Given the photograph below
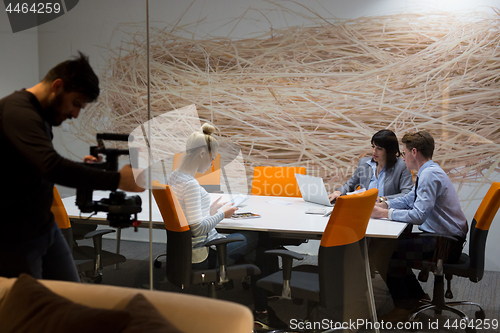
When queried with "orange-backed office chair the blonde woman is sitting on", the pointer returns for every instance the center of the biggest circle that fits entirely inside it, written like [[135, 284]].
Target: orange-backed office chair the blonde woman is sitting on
[[179, 248]]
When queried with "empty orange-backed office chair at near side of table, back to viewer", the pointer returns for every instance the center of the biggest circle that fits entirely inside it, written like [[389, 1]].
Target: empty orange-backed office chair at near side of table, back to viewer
[[342, 275]]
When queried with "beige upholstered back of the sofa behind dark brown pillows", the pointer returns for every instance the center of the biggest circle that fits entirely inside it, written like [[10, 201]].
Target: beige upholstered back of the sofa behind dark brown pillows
[[191, 314]]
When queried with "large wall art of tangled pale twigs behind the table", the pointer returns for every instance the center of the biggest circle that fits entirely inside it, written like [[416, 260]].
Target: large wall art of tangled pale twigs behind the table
[[314, 95]]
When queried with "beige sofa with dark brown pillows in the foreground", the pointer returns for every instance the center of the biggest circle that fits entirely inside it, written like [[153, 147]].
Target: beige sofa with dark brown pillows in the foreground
[[187, 313]]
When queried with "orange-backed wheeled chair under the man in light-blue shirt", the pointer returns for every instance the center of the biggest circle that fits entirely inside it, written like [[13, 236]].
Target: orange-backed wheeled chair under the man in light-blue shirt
[[470, 265]]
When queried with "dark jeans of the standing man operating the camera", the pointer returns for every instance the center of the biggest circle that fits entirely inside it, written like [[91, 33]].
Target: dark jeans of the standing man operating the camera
[[45, 257]]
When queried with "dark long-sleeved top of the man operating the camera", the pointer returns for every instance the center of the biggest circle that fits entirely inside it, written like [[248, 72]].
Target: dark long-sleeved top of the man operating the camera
[[30, 166]]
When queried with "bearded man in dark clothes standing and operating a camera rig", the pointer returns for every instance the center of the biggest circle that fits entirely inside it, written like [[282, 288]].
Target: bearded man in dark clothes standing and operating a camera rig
[[30, 241]]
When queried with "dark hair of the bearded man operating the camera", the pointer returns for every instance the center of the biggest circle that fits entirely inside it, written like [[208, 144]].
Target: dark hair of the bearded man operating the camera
[[77, 76]]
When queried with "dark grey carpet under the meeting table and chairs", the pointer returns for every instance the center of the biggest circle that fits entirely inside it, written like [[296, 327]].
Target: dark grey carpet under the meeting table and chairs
[[135, 273]]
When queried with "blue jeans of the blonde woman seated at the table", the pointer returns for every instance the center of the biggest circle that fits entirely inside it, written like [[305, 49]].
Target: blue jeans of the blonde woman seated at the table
[[252, 249]]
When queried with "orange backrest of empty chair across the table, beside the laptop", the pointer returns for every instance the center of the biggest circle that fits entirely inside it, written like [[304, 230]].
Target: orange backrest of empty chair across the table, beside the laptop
[[276, 181]]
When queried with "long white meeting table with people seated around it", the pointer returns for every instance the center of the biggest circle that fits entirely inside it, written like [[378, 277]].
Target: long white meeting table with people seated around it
[[281, 216]]
